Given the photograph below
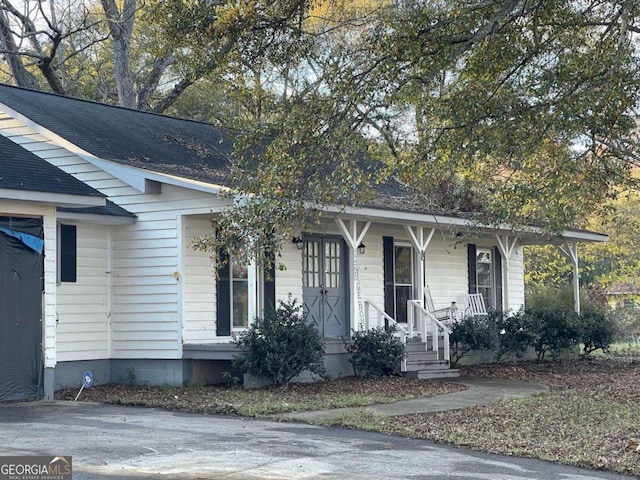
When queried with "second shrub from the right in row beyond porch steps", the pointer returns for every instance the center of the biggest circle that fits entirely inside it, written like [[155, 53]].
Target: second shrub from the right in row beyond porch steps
[[552, 331]]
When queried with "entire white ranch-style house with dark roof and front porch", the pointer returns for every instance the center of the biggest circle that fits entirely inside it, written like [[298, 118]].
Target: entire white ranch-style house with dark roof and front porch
[[114, 198]]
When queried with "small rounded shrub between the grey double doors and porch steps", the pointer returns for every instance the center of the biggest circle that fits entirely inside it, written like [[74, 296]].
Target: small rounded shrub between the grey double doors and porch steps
[[375, 352]]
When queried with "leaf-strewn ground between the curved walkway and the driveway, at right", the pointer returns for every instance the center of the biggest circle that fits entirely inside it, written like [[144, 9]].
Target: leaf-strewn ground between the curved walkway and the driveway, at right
[[590, 417]]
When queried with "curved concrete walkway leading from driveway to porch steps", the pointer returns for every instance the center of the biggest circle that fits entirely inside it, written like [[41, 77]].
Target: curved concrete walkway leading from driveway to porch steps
[[479, 392]]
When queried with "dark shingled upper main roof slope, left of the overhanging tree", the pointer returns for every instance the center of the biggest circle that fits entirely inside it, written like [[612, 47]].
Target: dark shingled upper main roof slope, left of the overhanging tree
[[159, 143]]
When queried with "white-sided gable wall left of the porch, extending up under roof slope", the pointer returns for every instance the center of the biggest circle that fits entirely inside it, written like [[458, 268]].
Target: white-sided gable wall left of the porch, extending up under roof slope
[[145, 293]]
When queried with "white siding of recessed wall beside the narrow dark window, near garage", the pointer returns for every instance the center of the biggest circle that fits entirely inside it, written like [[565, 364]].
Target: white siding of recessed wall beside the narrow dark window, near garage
[[83, 306]]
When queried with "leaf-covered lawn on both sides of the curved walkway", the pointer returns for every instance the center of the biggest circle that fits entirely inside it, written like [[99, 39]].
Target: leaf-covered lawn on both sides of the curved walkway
[[590, 417]]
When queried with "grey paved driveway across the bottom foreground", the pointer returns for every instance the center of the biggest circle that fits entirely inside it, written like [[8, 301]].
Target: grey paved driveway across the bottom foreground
[[115, 442]]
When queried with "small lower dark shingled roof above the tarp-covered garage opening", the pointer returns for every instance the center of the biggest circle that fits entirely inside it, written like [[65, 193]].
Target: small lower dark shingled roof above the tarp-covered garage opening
[[22, 170]]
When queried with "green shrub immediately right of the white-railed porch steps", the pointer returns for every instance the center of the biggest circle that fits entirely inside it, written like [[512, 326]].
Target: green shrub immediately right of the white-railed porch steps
[[471, 333]]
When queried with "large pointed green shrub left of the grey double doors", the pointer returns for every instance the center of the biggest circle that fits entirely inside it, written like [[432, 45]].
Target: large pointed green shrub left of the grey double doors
[[281, 345]]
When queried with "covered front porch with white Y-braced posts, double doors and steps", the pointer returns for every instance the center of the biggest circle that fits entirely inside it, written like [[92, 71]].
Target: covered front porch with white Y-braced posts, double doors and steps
[[362, 269]]
